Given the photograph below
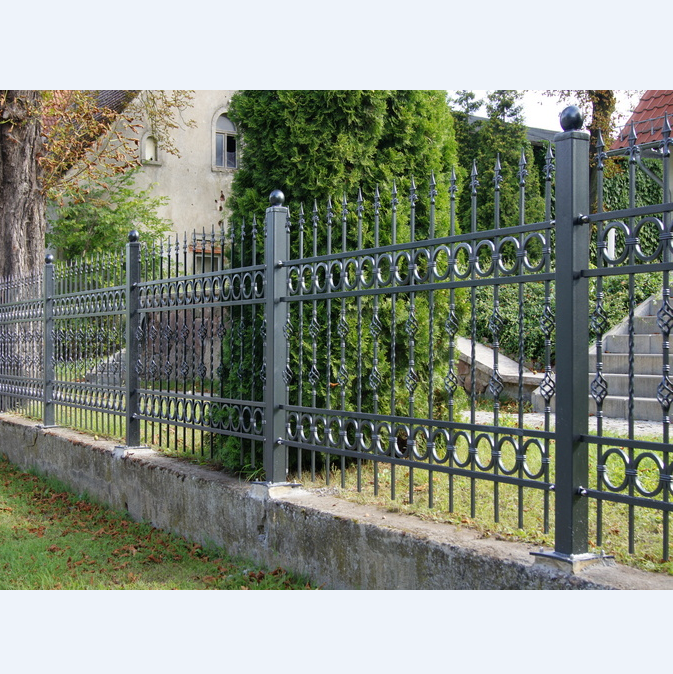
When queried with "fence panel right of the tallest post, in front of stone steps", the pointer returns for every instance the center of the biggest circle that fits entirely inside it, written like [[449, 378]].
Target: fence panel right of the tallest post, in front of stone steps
[[632, 246]]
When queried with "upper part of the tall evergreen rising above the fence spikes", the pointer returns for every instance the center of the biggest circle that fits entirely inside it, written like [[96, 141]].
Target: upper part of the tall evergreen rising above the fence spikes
[[315, 145]]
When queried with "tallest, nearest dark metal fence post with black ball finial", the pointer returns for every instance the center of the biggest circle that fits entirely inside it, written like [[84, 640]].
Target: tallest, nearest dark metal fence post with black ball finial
[[572, 339]]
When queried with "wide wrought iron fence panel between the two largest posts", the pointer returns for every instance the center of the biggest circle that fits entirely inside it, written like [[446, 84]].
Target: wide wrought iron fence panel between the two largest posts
[[371, 333]]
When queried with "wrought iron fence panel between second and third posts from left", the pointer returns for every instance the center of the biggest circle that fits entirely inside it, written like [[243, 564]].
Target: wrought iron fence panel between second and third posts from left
[[199, 337]]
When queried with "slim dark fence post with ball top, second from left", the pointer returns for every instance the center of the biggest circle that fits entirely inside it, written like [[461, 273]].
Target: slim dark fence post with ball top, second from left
[[132, 324]]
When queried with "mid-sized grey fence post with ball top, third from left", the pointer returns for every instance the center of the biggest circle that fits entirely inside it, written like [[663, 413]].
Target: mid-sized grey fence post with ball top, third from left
[[276, 250]]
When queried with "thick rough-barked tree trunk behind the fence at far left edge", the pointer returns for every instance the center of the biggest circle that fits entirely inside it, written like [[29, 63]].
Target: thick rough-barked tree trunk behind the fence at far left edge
[[22, 202]]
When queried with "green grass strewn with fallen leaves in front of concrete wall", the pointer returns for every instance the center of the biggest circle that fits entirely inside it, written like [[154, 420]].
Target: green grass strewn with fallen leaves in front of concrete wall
[[51, 539]]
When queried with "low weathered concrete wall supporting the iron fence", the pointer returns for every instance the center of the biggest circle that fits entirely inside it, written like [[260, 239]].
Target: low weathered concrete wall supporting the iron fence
[[338, 544]]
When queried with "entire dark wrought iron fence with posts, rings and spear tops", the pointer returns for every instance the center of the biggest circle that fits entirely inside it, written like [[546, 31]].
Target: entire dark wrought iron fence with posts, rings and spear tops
[[331, 341]]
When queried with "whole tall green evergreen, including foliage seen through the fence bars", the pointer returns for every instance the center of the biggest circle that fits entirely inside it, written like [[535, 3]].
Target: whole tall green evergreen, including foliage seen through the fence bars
[[320, 145]]
